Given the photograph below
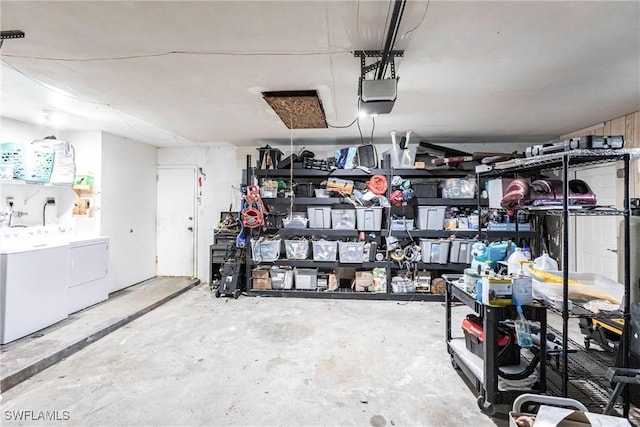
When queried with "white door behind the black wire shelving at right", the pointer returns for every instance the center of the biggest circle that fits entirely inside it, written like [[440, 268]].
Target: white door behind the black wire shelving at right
[[595, 236]]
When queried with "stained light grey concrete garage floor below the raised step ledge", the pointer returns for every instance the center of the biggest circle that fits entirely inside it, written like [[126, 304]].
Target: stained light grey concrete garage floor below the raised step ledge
[[197, 360]]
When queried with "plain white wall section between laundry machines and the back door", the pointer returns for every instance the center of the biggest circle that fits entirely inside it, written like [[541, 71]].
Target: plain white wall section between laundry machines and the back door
[[128, 213]]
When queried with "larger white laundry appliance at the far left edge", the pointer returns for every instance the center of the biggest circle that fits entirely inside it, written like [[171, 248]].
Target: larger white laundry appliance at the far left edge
[[34, 275]]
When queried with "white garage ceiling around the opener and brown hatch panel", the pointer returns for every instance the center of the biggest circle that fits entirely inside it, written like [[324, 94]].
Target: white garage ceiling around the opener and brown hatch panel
[[174, 71]]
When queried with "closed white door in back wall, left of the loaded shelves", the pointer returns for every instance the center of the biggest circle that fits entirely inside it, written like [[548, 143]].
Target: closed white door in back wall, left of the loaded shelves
[[176, 221]]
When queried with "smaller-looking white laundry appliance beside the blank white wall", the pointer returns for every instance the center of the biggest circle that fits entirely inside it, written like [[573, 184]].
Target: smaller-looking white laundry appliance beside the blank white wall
[[88, 263]]
